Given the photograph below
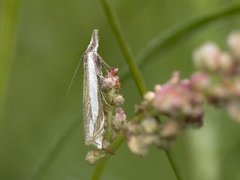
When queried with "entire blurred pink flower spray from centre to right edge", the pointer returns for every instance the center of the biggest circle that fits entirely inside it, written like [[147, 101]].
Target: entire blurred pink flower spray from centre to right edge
[[178, 104]]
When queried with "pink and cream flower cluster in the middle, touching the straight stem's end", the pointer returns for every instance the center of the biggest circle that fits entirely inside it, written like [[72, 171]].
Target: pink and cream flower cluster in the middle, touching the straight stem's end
[[178, 102]]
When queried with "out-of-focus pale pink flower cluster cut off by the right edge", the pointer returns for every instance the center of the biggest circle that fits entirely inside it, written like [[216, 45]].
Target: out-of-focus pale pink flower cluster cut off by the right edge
[[223, 71]]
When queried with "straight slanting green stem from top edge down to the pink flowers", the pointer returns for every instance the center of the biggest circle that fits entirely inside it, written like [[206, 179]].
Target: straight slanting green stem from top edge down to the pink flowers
[[134, 70]]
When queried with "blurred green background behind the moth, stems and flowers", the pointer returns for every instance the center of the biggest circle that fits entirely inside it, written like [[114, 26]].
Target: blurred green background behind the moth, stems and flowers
[[46, 43]]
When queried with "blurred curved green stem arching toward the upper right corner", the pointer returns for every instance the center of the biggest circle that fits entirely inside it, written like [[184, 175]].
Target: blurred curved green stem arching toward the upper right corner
[[172, 36]]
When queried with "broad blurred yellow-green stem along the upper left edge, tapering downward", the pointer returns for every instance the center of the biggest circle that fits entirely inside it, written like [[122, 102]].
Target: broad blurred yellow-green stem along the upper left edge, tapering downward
[[8, 24]]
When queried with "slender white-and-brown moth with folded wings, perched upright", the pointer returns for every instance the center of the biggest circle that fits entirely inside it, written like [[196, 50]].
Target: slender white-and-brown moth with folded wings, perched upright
[[94, 118]]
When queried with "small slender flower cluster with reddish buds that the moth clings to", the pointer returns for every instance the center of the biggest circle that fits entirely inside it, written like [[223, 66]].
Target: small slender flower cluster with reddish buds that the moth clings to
[[115, 118]]
